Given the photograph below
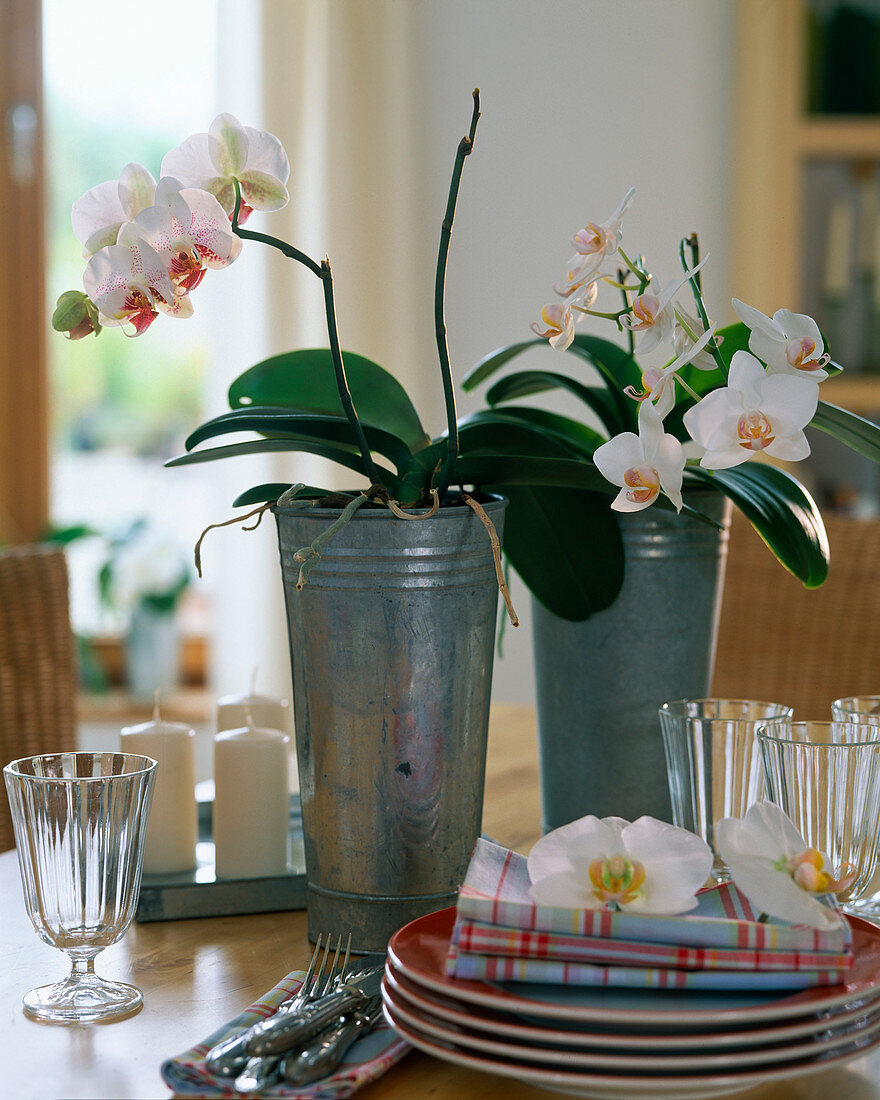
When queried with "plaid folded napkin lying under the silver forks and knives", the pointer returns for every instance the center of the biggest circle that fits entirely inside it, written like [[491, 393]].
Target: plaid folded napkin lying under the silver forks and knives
[[367, 1060]]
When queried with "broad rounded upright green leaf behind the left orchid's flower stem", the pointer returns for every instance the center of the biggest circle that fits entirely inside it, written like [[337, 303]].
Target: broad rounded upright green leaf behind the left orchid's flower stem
[[305, 380]]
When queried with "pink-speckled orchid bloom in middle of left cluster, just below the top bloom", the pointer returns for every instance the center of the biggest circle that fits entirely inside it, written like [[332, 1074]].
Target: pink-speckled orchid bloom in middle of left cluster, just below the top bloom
[[189, 229]]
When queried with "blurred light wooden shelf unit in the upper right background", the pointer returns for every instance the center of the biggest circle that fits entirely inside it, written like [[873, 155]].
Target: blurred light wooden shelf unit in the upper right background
[[777, 259]]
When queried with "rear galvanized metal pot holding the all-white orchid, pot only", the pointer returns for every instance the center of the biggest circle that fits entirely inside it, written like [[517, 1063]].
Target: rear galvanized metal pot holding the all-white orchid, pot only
[[601, 683]]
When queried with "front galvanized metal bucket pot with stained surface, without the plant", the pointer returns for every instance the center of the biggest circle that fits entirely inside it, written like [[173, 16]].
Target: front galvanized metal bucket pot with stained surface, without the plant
[[392, 645]]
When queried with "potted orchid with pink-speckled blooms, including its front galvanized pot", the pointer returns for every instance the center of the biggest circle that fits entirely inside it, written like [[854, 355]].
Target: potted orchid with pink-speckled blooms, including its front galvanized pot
[[391, 591]]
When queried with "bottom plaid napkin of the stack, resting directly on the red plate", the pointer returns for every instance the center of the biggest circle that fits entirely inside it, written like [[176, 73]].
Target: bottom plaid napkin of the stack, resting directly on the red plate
[[502, 969]]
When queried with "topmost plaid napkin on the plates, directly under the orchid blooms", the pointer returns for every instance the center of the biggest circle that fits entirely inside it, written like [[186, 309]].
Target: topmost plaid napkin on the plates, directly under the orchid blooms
[[497, 892]]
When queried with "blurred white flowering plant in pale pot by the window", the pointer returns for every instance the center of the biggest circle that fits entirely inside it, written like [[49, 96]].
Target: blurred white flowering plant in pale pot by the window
[[145, 579]]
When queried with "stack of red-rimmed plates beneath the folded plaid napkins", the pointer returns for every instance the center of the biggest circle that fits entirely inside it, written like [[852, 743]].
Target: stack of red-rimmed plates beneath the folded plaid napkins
[[621, 1043]]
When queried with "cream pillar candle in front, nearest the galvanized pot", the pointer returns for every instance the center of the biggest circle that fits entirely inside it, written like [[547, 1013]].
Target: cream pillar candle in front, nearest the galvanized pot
[[251, 802]]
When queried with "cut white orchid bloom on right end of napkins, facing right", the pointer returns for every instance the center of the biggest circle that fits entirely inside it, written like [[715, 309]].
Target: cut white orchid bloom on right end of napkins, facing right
[[771, 863]]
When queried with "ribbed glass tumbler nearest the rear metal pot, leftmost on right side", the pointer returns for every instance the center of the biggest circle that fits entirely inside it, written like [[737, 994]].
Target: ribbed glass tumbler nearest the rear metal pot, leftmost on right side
[[713, 764]]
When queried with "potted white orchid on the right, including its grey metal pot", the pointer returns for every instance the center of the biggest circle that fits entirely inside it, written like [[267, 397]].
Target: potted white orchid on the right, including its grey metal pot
[[626, 599]]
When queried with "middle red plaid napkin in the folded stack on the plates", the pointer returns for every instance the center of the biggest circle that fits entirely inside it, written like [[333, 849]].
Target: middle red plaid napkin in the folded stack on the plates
[[471, 938]]
